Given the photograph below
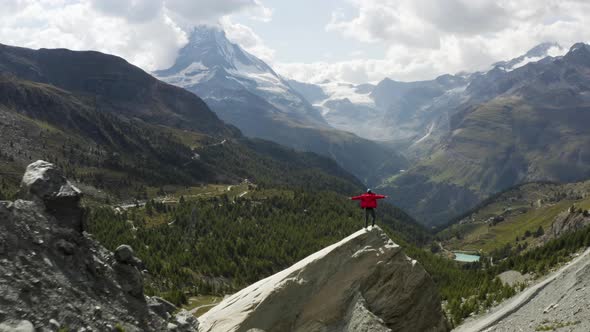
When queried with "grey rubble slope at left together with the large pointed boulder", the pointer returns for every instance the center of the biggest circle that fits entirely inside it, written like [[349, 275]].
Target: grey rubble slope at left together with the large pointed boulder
[[55, 277]]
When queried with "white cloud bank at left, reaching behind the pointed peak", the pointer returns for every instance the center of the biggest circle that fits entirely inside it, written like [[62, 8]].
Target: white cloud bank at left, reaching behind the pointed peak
[[148, 33]]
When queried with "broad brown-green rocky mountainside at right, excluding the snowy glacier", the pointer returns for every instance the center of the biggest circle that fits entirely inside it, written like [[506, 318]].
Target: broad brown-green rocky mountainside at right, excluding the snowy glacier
[[527, 125]]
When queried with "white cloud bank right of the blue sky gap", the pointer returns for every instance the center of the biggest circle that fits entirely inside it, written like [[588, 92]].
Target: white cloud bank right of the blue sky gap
[[427, 38]]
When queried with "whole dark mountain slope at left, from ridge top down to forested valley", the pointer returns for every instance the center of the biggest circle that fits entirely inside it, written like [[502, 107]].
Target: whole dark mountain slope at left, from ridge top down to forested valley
[[113, 126]]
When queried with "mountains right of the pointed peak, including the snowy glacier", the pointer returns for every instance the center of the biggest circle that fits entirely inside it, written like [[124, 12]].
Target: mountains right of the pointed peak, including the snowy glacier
[[469, 135]]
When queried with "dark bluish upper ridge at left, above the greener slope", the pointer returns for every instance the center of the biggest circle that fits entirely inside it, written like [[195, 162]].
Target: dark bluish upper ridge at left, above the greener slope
[[111, 84]]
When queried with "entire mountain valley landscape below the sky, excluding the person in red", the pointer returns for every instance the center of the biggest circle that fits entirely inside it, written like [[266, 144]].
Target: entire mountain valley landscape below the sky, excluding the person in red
[[219, 189]]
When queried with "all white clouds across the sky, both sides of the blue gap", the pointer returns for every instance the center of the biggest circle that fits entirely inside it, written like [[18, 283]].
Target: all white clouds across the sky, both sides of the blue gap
[[423, 38]]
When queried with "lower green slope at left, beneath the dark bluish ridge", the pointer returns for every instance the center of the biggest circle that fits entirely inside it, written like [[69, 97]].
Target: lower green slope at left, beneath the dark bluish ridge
[[127, 156]]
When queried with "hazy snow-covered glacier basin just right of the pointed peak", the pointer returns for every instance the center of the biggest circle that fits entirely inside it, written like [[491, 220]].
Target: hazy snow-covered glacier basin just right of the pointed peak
[[399, 113]]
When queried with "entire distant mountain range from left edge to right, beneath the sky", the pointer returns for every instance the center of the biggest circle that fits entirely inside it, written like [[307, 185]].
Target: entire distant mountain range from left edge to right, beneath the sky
[[463, 137]]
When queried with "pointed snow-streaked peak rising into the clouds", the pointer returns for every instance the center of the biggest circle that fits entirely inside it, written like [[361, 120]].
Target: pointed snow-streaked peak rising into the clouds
[[213, 67]]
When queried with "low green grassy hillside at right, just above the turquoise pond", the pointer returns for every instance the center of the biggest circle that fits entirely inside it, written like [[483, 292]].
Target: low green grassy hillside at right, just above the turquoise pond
[[522, 209]]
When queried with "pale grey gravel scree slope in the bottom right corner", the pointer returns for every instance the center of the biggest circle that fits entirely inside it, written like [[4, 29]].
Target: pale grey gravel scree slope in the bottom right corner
[[561, 302]]
